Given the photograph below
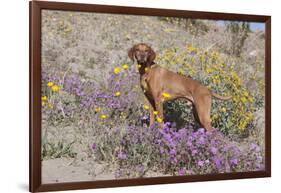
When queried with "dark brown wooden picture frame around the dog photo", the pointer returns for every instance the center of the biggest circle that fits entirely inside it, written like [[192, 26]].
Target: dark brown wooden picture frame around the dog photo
[[35, 7]]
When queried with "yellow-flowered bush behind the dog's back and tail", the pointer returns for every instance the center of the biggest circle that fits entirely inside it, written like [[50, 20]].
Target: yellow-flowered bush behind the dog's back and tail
[[213, 71]]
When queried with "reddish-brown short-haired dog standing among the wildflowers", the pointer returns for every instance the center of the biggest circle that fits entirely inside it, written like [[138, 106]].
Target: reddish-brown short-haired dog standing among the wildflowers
[[160, 84]]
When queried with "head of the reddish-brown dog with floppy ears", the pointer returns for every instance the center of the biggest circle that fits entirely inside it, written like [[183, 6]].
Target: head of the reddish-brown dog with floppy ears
[[142, 53]]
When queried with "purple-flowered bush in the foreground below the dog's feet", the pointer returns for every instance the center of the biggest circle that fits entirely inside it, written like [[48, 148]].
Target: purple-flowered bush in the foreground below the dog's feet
[[137, 150]]
